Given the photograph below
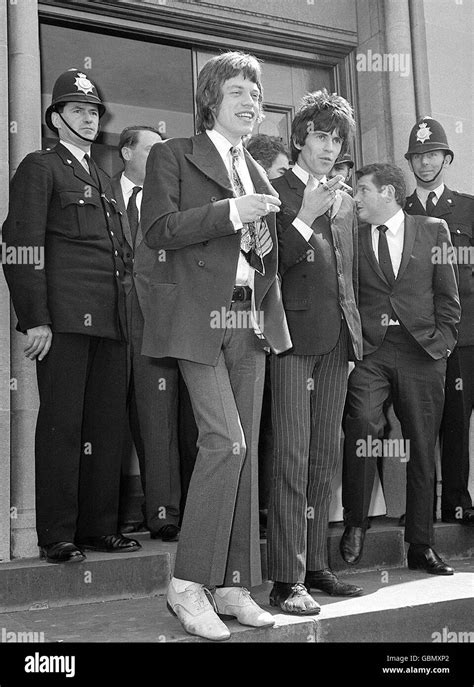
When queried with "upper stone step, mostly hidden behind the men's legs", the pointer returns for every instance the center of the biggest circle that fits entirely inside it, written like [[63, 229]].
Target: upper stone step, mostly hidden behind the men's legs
[[30, 584]]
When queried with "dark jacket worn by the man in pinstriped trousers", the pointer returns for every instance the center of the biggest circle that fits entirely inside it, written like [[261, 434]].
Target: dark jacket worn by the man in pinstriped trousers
[[319, 278]]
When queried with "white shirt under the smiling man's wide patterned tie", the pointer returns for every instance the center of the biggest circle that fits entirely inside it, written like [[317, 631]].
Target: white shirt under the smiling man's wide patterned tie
[[245, 274]]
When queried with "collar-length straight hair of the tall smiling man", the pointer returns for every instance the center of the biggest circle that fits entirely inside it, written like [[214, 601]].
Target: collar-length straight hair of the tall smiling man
[[212, 77]]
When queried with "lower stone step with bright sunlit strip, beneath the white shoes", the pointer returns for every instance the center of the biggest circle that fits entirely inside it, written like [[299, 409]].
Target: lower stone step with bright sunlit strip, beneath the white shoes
[[402, 606]]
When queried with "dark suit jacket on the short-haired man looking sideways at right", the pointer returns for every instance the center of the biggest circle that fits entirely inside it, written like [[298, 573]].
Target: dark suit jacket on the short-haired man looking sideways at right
[[425, 295]]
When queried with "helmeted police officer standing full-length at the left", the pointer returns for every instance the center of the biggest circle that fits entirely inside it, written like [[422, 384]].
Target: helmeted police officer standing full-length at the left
[[72, 313]]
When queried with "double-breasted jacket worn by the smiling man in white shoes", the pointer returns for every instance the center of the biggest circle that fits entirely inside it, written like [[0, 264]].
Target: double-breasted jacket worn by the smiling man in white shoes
[[185, 214]]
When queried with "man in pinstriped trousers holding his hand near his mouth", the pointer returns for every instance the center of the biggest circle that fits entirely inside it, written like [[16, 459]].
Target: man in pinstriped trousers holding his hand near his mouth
[[317, 237]]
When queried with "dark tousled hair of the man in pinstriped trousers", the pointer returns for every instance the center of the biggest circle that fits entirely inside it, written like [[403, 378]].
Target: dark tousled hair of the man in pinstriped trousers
[[322, 111]]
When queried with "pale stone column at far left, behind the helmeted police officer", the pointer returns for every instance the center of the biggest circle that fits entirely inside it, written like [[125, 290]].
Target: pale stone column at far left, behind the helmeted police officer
[[24, 83]]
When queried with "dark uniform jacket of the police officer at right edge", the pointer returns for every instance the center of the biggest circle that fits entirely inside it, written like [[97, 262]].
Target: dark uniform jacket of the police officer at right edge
[[457, 210]]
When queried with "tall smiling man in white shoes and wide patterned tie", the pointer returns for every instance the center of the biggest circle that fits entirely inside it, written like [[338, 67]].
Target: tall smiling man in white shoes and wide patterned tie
[[214, 304]]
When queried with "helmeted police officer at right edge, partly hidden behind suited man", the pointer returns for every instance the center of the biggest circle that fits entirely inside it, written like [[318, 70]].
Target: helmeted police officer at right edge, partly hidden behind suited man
[[429, 157]]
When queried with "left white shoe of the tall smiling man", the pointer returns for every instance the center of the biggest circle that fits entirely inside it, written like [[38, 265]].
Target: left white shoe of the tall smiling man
[[193, 609]]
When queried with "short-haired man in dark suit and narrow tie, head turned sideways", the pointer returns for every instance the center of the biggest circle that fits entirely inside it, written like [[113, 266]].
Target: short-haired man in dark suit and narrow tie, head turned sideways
[[409, 307]]
